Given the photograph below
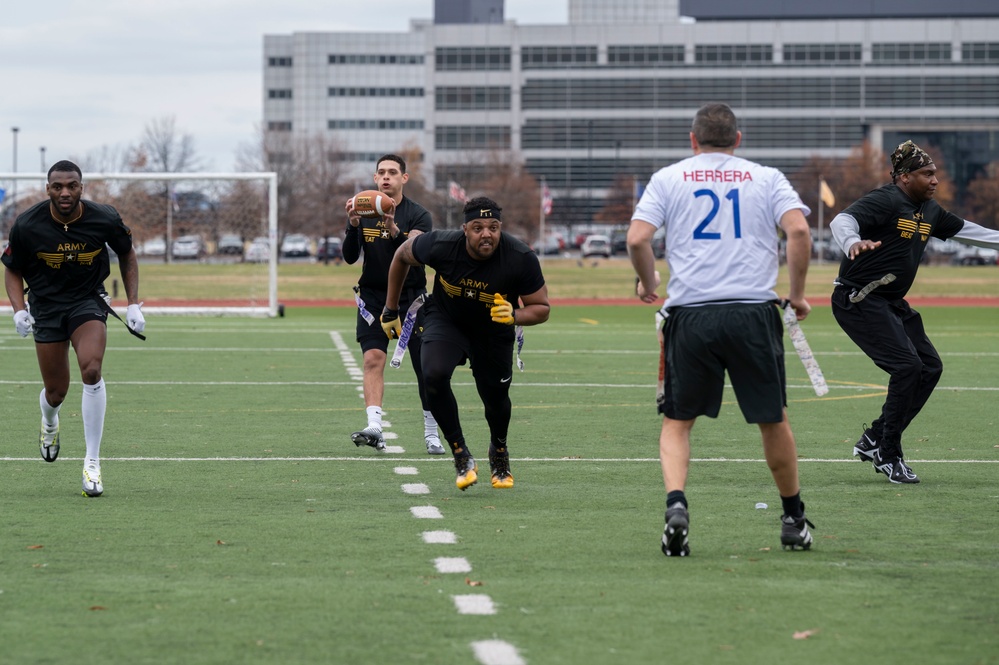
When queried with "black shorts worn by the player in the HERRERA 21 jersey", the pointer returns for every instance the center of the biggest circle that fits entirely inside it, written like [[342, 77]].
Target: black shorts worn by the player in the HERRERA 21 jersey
[[702, 343]]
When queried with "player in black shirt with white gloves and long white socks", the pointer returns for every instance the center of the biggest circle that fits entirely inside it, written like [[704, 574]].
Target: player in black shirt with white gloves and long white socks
[[59, 247]]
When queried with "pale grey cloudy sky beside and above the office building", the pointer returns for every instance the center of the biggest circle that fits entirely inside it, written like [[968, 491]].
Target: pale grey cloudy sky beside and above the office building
[[78, 76]]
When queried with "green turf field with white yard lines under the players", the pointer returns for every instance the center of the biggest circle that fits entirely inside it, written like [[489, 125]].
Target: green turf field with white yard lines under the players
[[240, 524]]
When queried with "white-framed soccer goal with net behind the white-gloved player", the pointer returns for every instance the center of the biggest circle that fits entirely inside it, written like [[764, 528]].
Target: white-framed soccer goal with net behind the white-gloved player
[[206, 242]]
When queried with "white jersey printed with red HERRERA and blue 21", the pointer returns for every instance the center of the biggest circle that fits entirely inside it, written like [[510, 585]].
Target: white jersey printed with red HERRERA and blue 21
[[721, 215]]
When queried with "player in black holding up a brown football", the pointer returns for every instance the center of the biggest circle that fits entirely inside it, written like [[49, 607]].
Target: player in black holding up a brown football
[[378, 238]]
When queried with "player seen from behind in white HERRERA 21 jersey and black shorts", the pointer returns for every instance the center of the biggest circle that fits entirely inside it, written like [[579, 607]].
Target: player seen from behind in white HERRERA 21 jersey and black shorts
[[721, 214]]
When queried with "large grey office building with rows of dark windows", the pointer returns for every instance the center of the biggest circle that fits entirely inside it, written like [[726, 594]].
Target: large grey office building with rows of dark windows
[[613, 91]]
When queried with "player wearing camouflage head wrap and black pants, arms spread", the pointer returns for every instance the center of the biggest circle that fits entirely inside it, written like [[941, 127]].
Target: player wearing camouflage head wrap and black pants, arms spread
[[883, 236]]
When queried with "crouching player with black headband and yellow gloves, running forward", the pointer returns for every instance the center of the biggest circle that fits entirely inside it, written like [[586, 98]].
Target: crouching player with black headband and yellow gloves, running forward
[[487, 285]]
